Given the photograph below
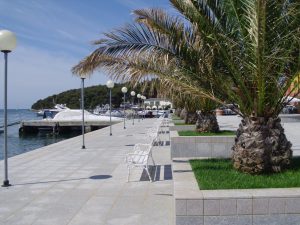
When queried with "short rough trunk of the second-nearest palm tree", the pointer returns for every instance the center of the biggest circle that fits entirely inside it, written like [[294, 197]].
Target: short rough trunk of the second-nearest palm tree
[[207, 122]]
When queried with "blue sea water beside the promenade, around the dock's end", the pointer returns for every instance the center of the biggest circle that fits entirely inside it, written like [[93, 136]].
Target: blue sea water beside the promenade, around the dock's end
[[18, 144]]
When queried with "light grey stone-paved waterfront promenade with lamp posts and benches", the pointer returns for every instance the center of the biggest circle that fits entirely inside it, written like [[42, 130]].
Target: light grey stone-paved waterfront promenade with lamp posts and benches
[[63, 184]]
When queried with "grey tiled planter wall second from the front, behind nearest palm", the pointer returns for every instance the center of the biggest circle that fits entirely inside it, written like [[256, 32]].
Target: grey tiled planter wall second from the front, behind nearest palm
[[200, 146]]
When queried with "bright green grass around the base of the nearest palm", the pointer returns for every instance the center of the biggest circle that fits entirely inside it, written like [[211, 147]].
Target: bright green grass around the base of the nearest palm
[[219, 174]]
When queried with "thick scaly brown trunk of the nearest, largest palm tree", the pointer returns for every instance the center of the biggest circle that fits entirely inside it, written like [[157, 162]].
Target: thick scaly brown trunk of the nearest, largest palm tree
[[261, 146]]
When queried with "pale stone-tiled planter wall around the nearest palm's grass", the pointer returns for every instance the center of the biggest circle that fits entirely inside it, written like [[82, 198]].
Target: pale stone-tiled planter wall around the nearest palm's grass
[[239, 207]]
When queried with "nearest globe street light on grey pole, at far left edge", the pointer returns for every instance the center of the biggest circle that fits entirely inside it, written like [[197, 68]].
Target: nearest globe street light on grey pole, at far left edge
[[8, 42]]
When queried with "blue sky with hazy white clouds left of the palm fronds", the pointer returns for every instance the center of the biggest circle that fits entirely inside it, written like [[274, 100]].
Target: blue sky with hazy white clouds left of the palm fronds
[[52, 37]]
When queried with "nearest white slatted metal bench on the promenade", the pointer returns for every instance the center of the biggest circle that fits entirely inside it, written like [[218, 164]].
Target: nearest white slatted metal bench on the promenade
[[140, 158]]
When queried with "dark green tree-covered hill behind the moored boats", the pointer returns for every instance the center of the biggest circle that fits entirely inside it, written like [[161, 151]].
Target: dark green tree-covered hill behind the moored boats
[[93, 96]]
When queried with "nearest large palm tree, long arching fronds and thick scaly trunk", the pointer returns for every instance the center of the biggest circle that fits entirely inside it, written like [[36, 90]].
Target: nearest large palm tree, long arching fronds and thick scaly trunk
[[243, 52]]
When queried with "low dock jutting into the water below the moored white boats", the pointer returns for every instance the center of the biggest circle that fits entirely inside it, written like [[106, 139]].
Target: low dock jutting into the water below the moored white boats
[[56, 126]]
